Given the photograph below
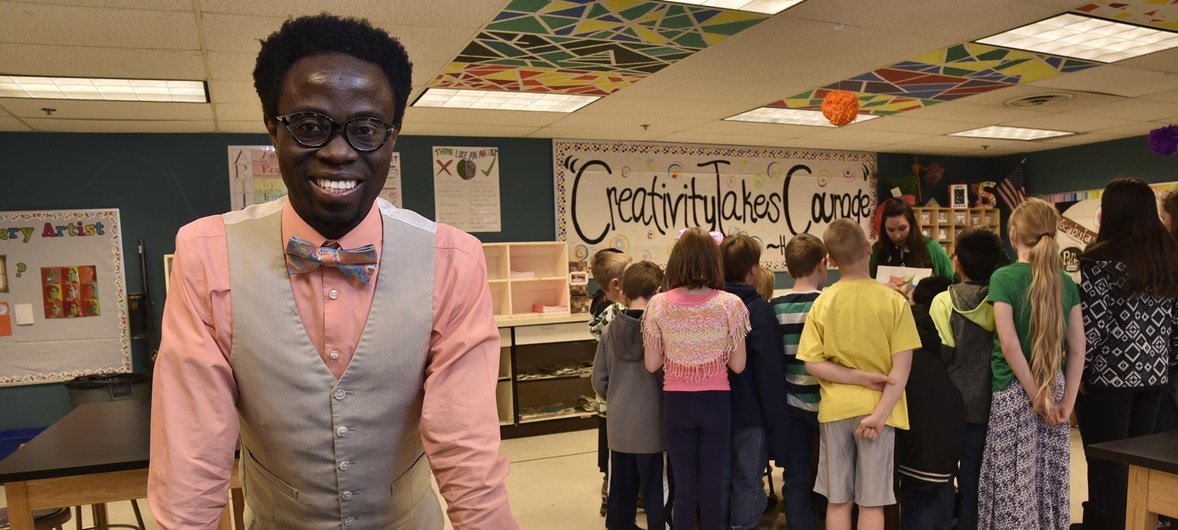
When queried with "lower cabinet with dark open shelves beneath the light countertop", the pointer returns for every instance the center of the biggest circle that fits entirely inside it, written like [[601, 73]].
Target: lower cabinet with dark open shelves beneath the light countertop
[[545, 372]]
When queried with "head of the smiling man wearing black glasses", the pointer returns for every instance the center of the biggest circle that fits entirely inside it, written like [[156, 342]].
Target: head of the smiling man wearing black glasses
[[334, 94]]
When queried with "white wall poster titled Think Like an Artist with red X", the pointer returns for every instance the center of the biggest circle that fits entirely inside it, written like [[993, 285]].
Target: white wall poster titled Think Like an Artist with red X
[[467, 188]]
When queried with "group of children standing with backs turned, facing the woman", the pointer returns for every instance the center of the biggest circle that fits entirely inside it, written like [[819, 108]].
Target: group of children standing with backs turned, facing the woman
[[905, 400]]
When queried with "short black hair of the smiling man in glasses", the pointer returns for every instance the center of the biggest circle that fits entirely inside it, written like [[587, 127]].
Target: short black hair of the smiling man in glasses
[[327, 34]]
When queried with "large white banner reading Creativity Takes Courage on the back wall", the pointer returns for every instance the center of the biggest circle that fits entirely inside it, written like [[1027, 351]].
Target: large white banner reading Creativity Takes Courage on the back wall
[[638, 197]]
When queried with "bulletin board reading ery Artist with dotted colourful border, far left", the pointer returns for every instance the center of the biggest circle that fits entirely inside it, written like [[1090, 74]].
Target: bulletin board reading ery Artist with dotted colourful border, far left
[[63, 296]]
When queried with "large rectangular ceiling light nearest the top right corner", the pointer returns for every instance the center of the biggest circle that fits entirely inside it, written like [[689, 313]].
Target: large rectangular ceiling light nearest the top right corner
[[1086, 38]]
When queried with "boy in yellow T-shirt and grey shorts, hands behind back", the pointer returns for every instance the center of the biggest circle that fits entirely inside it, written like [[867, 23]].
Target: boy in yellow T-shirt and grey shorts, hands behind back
[[858, 342]]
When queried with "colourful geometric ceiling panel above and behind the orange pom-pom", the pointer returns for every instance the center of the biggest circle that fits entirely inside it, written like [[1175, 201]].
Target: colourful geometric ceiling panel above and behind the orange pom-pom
[[951, 74]]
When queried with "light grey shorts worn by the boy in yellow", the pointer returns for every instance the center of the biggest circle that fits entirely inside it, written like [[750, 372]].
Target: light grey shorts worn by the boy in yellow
[[852, 468]]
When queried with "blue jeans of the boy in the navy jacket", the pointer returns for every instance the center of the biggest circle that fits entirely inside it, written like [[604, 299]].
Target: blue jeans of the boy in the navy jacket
[[744, 479]]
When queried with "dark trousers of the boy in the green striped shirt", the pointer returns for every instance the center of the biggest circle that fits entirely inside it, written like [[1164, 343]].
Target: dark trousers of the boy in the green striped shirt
[[799, 505]]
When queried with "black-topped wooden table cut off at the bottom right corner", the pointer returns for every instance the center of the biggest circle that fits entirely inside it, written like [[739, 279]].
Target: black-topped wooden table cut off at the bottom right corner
[[1153, 476]]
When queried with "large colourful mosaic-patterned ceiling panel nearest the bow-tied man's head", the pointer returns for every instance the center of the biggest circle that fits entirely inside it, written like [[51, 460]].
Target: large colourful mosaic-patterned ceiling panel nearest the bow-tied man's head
[[587, 47]]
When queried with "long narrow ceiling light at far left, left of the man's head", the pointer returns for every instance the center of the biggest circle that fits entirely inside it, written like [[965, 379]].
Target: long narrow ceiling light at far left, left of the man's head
[[103, 90]]
